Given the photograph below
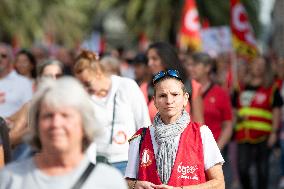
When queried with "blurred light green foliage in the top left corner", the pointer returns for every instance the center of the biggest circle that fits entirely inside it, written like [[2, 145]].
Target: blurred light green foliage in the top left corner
[[66, 21]]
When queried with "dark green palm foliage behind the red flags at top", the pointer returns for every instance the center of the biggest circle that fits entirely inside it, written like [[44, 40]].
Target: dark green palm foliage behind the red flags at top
[[159, 19]]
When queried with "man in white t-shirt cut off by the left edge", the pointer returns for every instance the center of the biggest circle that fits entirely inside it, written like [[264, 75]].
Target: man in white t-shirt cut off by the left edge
[[15, 90]]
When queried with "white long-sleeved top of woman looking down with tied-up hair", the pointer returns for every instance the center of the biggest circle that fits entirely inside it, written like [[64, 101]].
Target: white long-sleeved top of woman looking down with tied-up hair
[[130, 114]]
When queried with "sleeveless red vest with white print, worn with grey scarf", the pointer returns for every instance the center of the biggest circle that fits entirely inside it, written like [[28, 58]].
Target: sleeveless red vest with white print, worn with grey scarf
[[188, 168]]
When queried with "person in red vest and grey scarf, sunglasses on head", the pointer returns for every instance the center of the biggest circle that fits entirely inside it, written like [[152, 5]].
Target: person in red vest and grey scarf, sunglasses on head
[[174, 152]]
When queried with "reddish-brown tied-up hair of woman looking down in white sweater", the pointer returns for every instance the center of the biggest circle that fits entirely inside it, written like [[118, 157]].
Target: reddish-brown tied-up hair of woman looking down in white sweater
[[88, 60]]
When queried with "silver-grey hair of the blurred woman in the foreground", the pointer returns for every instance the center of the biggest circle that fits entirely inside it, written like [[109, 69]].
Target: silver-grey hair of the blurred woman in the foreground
[[65, 91]]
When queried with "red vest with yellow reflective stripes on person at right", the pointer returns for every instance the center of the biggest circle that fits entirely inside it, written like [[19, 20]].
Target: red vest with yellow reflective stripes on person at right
[[258, 112]]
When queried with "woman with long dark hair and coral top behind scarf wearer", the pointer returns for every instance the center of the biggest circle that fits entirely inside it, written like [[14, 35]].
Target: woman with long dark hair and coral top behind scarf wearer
[[162, 56]]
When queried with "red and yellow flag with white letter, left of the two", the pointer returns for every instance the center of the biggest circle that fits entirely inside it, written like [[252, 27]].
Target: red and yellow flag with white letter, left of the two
[[189, 36]]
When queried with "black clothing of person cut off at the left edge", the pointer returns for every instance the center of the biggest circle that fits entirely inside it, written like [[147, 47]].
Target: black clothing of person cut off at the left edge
[[4, 136]]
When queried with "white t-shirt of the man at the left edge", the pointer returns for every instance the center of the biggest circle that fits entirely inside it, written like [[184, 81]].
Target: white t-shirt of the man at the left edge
[[17, 91]]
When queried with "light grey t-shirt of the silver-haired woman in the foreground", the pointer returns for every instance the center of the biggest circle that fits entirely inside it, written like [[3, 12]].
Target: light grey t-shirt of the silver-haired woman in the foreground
[[25, 175]]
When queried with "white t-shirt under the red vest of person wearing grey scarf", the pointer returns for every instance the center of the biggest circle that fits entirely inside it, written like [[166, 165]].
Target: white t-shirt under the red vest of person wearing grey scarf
[[212, 154]]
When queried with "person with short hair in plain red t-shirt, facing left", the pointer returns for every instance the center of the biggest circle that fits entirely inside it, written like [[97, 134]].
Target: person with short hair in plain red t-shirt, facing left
[[216, 101]]
